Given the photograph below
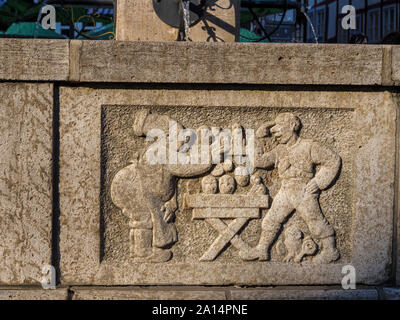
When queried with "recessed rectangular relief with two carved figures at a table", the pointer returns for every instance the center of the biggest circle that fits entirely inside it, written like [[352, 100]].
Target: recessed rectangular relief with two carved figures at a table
[[292, 205]]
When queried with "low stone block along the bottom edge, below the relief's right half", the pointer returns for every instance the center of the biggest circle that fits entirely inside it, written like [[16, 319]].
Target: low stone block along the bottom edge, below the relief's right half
[[304, 294]]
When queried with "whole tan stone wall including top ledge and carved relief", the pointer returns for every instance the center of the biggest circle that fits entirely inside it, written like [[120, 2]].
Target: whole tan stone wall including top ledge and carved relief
[[77, 192]]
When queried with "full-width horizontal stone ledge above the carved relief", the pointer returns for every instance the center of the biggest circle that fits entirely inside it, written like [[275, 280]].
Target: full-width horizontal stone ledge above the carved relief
[[173, 62]]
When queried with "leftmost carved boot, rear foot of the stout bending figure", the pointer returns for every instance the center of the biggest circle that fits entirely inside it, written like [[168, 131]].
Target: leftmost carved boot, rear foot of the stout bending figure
[[141, 240]]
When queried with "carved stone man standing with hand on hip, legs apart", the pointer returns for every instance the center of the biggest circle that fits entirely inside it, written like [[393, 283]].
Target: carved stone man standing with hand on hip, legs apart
[[295, 160]]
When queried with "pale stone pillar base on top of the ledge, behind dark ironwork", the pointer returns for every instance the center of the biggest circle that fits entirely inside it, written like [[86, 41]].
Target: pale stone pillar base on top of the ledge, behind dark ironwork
[[140, 22]]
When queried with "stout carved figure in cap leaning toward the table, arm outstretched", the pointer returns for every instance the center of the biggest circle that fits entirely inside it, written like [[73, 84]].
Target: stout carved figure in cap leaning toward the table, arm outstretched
[[146, 193]]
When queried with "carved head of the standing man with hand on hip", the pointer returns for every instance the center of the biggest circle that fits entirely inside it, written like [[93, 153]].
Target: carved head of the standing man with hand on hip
[[286, 126]]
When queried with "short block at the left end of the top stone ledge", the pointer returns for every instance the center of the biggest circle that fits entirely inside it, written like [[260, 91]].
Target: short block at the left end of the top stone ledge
[[27, 59]]
